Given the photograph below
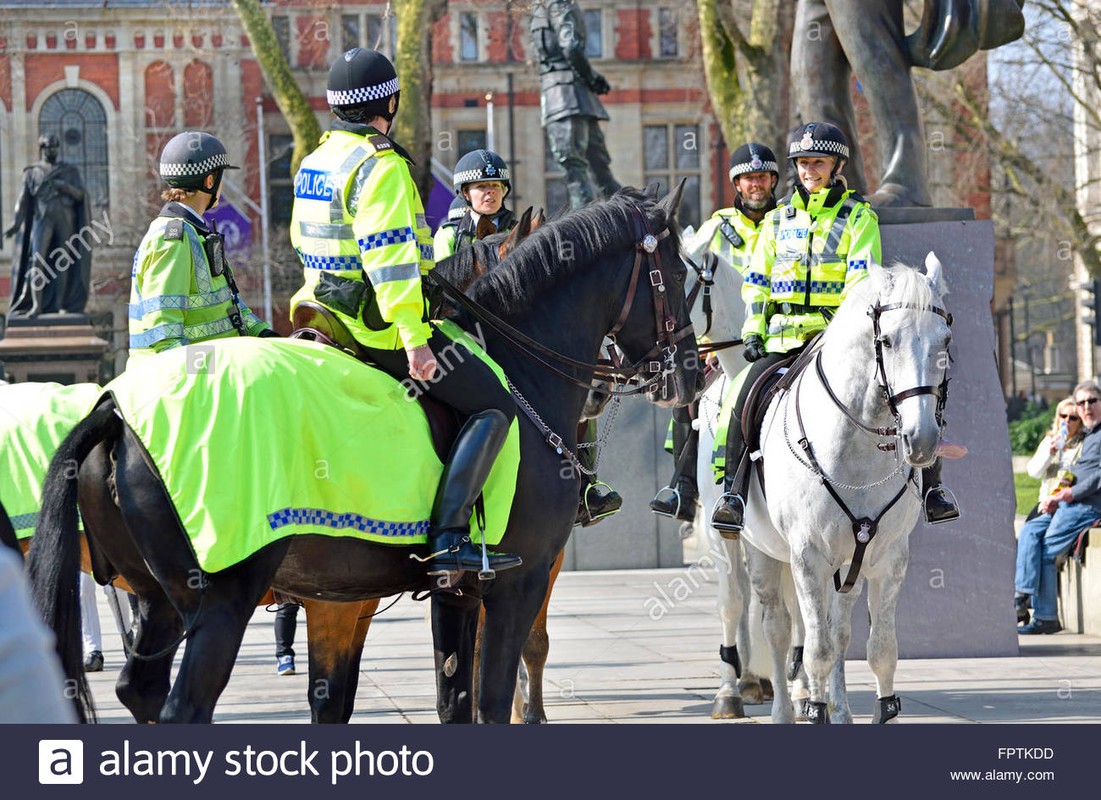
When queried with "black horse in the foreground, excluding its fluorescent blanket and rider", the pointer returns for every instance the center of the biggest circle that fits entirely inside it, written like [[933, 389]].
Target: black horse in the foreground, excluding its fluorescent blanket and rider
[[614, 266]]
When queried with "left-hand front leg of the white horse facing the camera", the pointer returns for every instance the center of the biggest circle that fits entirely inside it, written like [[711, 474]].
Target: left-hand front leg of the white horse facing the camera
[[813, 587]]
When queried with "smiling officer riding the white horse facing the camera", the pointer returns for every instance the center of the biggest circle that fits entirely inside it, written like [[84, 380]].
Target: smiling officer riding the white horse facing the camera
[[812, 249]]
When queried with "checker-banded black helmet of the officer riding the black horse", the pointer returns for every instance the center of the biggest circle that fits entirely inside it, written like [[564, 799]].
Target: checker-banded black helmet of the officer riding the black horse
[[363, 85]]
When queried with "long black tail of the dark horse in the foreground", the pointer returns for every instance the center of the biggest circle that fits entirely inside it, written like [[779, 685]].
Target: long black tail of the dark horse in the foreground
[[54, 560]]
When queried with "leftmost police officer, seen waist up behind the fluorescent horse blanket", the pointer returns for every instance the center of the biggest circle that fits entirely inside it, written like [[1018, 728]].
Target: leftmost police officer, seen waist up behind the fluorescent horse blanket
[[183, 290]]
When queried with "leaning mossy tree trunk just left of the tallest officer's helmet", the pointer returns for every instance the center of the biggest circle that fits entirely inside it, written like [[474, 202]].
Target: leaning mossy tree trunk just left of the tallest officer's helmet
[[300, 117]]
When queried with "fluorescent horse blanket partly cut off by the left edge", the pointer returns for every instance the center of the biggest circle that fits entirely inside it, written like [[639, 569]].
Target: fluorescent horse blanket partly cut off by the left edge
[[35, 418]]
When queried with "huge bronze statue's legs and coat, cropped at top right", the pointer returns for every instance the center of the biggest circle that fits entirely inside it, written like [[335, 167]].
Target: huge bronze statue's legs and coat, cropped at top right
[[837, 38]]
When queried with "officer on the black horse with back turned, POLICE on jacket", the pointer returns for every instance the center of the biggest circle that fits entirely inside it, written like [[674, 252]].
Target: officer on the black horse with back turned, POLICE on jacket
[[358, 225]]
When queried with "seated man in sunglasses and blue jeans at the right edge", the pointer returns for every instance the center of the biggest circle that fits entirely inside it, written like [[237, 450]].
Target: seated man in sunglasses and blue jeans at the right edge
[[1063, 516]]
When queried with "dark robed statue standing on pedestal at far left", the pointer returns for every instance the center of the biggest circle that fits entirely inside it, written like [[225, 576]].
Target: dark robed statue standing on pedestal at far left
[[52, 262]]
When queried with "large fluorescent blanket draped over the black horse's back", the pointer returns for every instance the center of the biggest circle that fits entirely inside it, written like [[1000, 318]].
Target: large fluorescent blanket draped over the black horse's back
[[257, 440]]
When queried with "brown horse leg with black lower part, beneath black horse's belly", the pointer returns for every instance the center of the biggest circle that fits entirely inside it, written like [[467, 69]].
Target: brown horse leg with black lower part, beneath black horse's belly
[[335, 644]]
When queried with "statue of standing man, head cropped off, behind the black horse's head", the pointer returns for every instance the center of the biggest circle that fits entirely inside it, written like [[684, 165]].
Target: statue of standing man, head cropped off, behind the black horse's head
[[571, 109]]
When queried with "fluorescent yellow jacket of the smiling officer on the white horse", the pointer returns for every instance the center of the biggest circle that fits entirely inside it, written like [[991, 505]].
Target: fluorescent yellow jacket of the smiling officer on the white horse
[[810, 253]]
